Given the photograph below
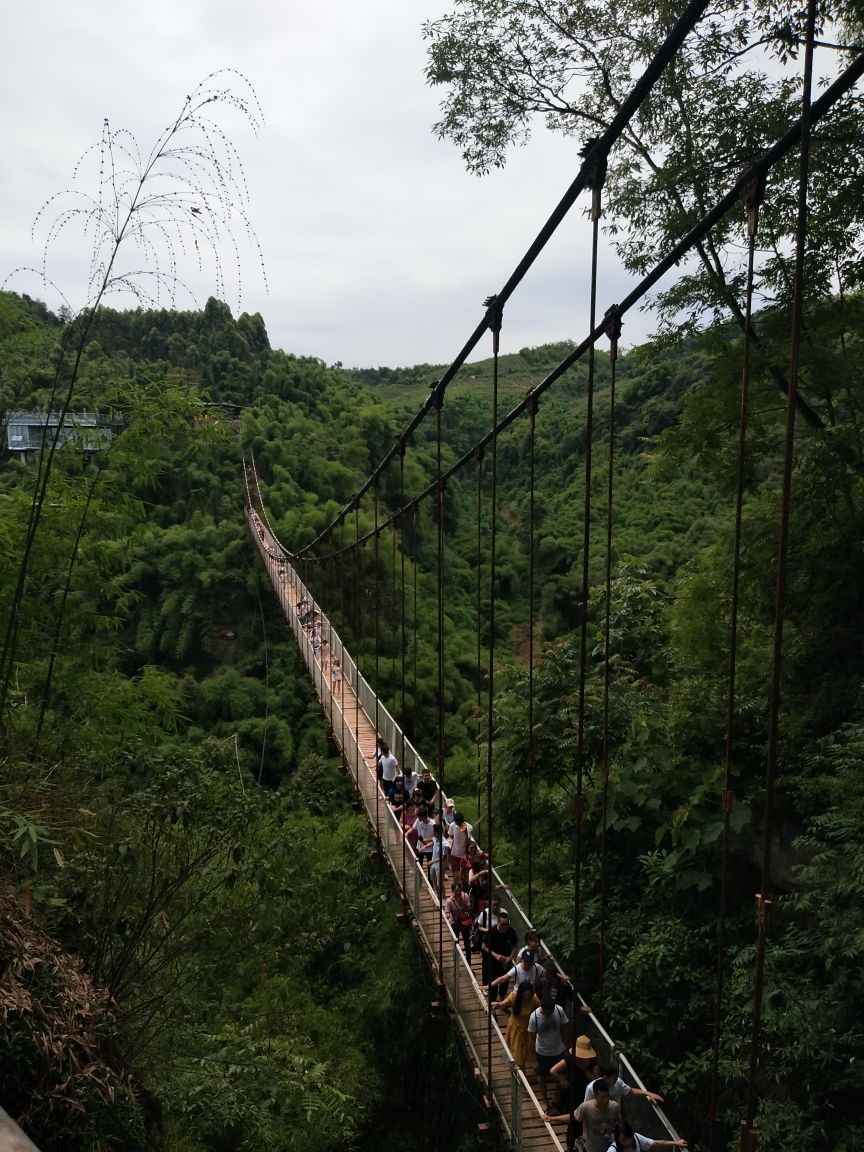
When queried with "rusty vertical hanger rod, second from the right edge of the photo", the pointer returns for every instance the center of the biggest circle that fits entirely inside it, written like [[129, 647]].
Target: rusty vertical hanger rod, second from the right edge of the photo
[[753, 200]]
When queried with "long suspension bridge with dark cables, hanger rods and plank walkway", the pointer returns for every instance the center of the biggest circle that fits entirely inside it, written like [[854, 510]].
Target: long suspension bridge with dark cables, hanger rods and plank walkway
[[319, 570]]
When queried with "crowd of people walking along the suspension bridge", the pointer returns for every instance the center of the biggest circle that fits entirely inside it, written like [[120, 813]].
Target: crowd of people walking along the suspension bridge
[[534, 996]]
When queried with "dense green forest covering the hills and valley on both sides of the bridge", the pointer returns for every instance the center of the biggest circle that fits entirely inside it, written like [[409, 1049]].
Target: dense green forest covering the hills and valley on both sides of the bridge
[[180, 853]]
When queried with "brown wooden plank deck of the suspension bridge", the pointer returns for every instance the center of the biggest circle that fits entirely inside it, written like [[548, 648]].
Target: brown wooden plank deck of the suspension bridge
[[511, 1095]]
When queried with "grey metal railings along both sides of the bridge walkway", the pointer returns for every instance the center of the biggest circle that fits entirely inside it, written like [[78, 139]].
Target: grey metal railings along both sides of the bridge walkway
[[461, 984]]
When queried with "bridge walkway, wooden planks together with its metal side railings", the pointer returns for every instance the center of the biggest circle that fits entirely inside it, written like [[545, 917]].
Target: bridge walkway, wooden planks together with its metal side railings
[[358, 718]]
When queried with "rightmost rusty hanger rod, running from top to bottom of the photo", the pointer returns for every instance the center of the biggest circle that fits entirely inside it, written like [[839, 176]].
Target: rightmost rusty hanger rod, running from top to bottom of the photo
[[763, 901]]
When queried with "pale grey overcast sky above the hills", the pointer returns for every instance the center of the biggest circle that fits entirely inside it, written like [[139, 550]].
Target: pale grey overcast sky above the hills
[[380, 247]]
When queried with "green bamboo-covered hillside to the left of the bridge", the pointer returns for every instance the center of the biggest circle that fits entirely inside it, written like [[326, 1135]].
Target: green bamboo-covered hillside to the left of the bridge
[[200, 939]]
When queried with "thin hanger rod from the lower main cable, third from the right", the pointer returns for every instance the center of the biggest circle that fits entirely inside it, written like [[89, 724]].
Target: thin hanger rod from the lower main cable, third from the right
[[615, 335]]
